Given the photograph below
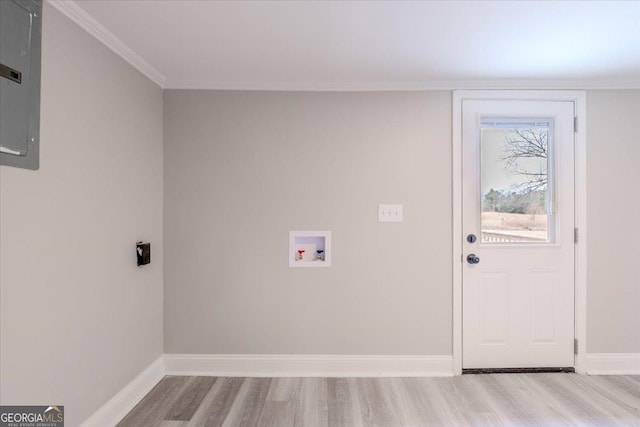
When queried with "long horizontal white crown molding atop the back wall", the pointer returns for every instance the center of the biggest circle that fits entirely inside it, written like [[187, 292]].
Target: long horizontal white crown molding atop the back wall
[[537, 84]]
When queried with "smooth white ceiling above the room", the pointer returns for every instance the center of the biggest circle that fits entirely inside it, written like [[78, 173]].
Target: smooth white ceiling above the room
[[373, 45]]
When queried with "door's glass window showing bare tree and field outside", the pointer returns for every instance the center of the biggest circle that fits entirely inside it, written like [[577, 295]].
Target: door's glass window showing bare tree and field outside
[[516, 181]]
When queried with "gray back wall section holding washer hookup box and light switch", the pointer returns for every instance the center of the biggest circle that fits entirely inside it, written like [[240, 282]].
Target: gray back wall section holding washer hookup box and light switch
[[244, 168]]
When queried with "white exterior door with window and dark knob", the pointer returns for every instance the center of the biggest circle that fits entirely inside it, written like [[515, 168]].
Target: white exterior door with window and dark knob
[[518, 234]]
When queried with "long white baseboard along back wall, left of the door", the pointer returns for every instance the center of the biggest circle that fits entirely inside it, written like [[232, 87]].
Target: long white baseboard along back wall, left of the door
[[271, 365]]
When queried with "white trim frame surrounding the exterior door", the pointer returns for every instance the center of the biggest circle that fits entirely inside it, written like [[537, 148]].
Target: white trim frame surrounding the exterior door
[[579, 99]]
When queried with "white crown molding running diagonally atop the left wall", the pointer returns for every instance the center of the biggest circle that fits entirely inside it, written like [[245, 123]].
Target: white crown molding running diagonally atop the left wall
[[70, 9]]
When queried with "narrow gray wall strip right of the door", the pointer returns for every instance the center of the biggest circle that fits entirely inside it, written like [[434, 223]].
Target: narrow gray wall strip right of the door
[[613, 165]]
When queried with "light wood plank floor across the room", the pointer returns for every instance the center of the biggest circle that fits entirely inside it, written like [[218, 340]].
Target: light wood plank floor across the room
[[468, 400]]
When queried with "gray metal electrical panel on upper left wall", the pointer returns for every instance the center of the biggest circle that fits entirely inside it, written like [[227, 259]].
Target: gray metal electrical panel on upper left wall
[[20, 52]]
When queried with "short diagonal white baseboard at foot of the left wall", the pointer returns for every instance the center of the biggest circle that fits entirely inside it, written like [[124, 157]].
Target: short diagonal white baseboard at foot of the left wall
[[119, 405]]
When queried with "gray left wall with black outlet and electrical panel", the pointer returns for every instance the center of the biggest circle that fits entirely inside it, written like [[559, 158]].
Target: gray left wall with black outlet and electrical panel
[[79, 320]]
